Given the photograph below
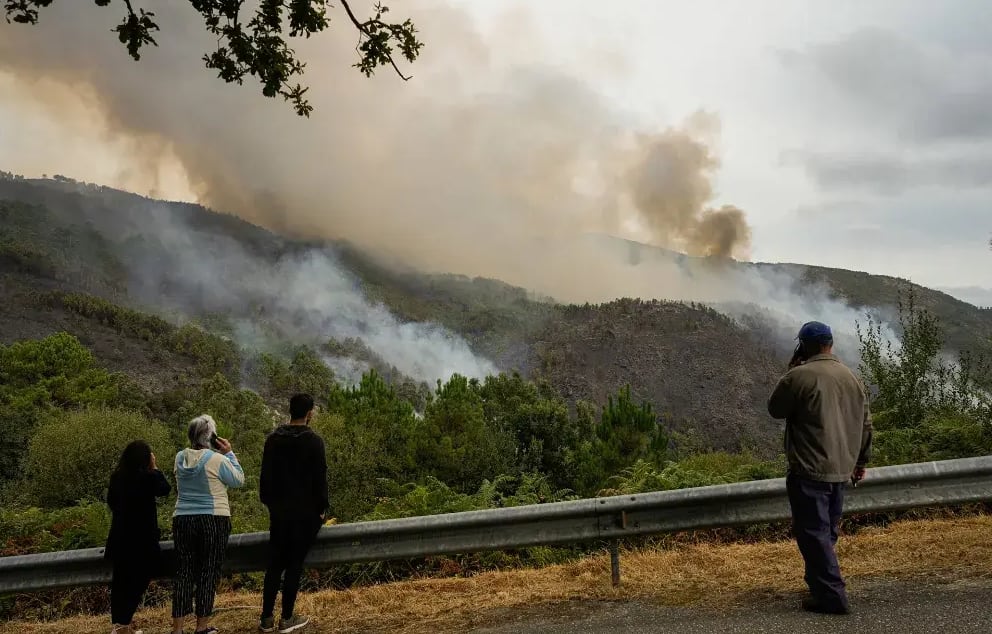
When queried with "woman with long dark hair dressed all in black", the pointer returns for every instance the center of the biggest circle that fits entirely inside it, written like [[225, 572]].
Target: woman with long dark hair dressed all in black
[[132, 545]]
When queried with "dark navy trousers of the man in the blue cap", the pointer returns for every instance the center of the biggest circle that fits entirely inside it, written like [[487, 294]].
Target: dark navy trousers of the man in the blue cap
[[816, 510]]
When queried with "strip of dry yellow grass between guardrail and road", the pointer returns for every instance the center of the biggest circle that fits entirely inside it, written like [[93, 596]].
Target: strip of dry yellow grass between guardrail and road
[[704, 574]]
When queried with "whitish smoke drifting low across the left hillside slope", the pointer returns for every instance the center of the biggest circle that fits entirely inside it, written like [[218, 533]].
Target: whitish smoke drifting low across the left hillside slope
[[304, 293]]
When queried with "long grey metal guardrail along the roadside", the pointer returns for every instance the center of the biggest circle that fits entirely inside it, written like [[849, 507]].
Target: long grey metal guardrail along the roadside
[[609, 519]]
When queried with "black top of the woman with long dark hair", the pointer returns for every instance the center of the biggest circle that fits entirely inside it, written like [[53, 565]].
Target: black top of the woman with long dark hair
[[134, 528]]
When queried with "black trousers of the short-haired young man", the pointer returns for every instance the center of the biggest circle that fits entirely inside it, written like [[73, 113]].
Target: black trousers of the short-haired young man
[[290, 539]]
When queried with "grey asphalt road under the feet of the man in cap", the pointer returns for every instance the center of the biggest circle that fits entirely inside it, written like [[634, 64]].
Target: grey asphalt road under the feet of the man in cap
[[877, 608]]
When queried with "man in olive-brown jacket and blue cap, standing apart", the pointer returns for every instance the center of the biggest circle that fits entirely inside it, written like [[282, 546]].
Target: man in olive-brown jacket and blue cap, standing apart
[[827, 442]]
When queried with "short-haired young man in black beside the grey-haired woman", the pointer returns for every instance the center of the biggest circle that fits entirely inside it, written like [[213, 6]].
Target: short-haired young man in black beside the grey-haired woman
[[293, 485]]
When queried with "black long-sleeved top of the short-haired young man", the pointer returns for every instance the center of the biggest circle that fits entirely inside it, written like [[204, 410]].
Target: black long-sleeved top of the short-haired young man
[[294, 472]]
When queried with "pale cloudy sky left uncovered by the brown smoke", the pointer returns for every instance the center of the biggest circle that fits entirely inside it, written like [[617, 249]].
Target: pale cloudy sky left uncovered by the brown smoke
[[854, 134]]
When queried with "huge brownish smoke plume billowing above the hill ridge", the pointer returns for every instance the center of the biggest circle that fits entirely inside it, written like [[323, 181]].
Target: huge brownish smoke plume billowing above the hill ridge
[[474, 167]]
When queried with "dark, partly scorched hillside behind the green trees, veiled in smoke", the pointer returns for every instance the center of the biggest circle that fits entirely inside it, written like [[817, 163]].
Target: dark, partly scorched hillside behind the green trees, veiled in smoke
[[190, 265]]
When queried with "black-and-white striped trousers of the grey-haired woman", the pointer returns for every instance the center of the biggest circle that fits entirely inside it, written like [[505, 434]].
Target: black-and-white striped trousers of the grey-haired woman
[[201, 543]]
